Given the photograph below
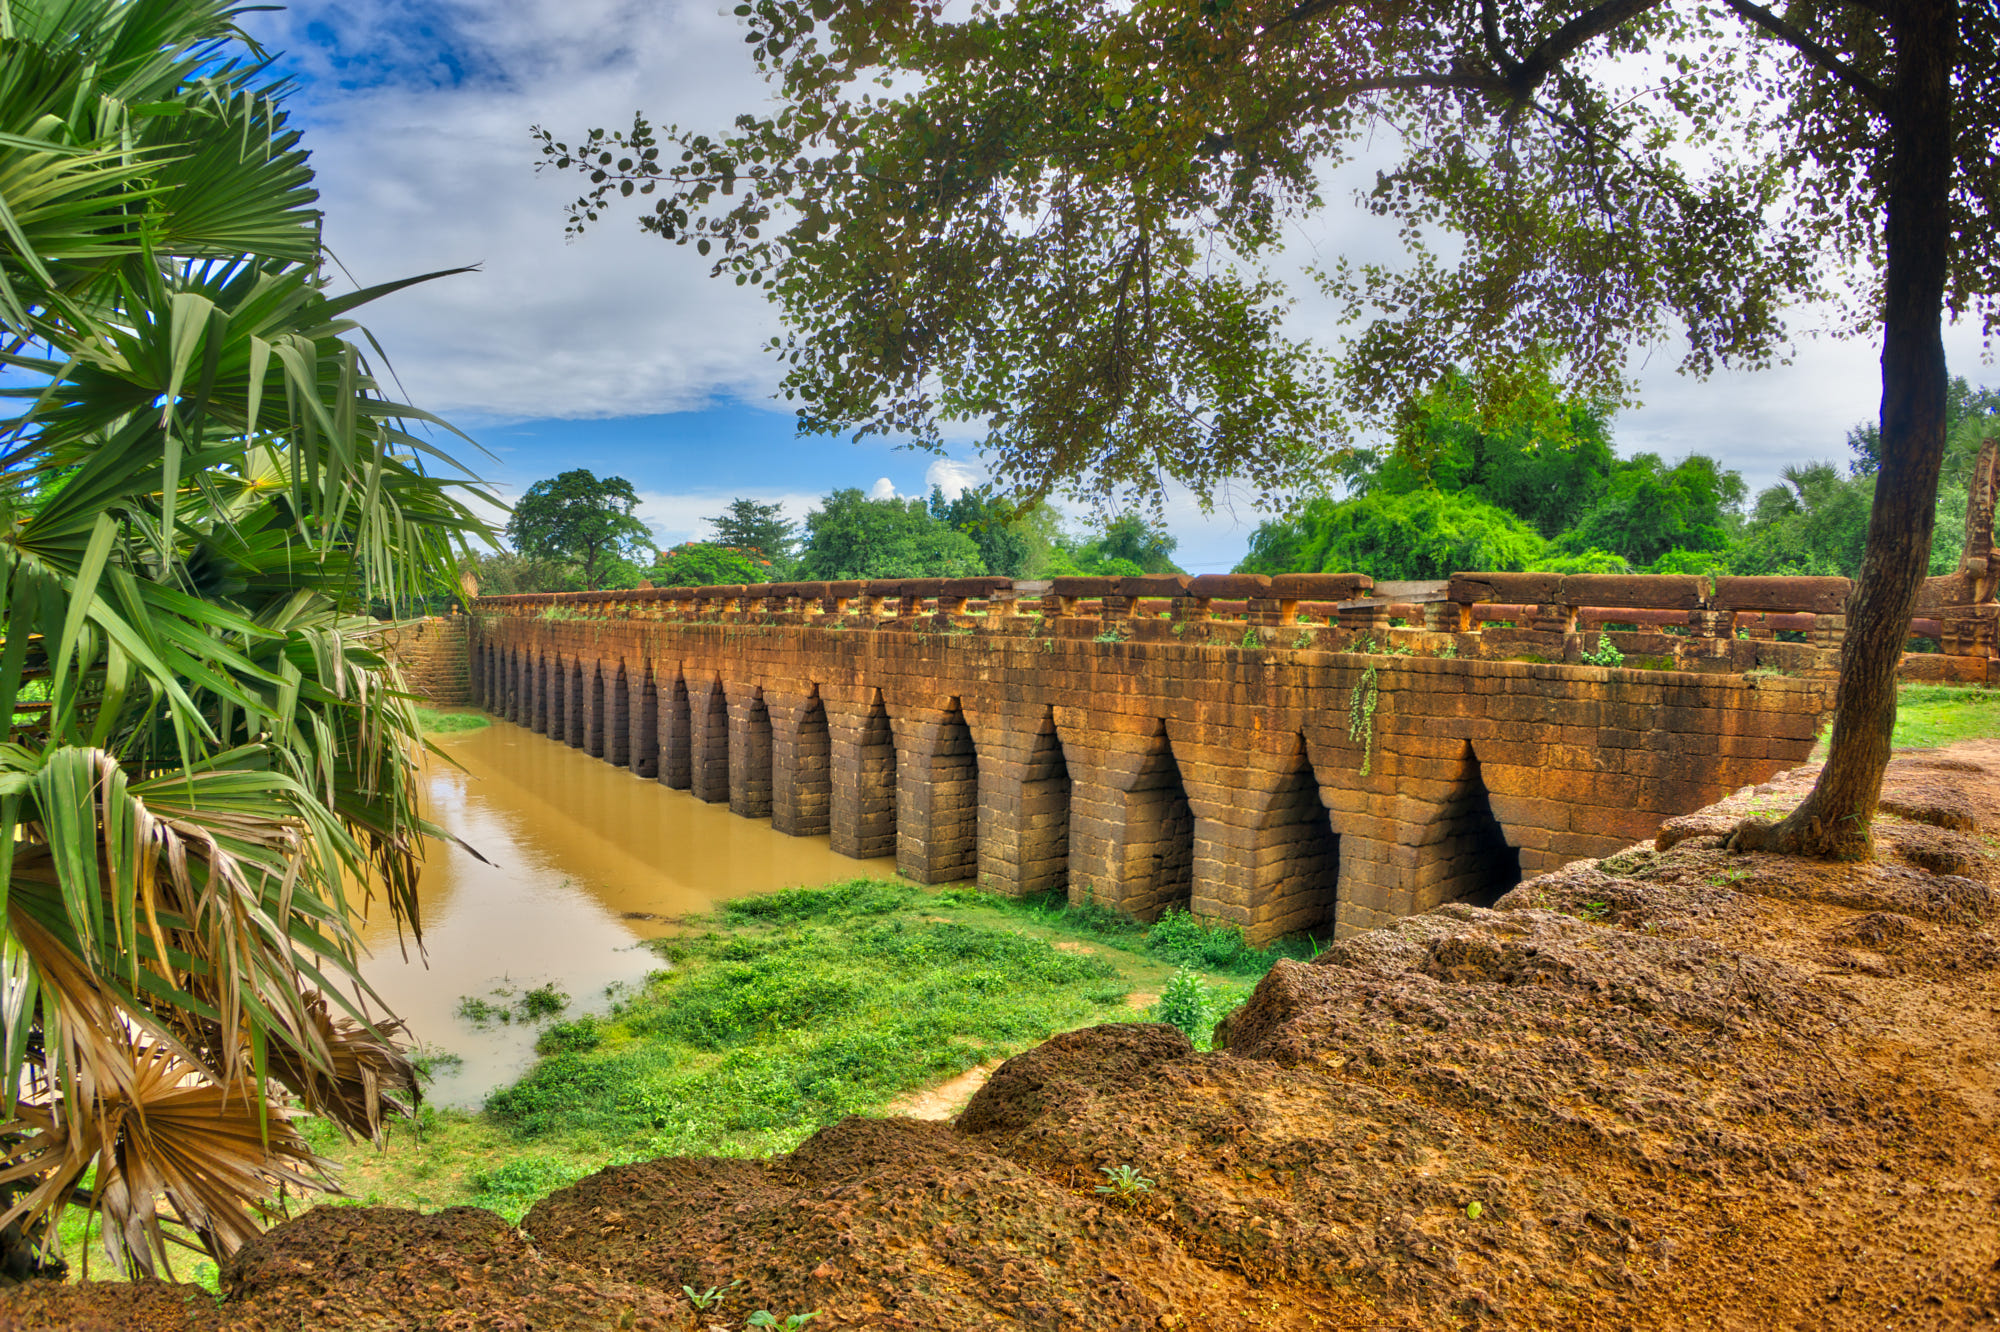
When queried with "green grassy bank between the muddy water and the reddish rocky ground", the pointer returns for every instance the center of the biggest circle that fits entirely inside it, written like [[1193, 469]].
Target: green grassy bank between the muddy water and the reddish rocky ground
[[787, 1013]]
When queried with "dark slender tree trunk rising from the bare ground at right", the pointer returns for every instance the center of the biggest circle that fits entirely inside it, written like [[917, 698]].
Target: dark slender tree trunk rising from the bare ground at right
[[1835, 817]]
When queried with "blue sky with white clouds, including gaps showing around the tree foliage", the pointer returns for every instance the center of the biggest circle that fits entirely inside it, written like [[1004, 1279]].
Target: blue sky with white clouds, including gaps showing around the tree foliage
[[619, 355]]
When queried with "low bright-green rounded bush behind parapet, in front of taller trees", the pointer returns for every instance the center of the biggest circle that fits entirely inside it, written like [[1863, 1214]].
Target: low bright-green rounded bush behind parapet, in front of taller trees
[[1417, 535]]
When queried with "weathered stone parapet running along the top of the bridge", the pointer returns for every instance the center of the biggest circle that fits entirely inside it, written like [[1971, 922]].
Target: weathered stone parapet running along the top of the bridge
[[1657, 621]]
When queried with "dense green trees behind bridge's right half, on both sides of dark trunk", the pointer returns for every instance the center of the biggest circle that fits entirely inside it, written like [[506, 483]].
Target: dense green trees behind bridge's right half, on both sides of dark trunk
[[1461, 493]]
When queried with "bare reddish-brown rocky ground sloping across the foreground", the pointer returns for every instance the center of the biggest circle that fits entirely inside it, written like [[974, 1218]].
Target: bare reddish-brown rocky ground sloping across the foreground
[[1673, 1089]]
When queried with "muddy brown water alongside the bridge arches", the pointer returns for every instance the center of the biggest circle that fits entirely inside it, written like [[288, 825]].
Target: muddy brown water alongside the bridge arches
[[583, 865]]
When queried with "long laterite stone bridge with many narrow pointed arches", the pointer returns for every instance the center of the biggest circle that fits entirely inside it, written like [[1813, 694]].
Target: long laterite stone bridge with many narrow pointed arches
[[1275, 755]]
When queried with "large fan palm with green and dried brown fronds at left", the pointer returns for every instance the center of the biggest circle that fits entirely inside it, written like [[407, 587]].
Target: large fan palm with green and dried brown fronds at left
[[209, 757]]
